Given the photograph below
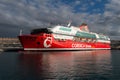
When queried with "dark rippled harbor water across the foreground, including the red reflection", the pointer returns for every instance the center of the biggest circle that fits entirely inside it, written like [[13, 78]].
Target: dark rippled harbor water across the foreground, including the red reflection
[[60, 65]]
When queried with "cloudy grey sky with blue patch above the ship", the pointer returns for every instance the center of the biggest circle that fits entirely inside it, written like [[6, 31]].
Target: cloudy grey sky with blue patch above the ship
[[102, 16]]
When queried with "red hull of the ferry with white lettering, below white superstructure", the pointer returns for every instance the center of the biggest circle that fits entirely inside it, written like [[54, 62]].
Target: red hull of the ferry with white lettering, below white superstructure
[[48, 42]]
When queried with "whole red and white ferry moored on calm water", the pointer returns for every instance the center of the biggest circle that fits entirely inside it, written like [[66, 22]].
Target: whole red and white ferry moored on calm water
[[64, 38]]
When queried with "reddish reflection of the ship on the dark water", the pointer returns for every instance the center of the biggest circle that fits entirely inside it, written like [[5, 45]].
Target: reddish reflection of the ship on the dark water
[[66, 65]]
